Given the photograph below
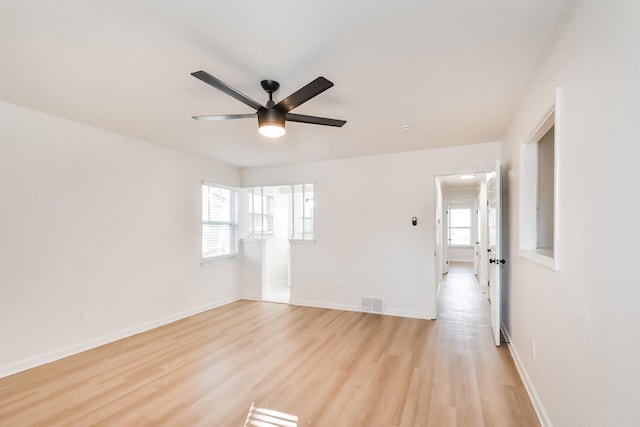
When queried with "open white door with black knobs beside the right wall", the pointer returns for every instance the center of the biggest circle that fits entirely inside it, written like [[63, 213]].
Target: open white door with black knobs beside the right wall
[[494, 247]]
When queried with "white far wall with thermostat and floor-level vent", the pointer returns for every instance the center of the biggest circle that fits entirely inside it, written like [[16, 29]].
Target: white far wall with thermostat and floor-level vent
[[365, 243]]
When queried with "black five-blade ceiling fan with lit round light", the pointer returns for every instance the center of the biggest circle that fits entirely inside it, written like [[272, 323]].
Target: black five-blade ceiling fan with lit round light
[[272, 116]]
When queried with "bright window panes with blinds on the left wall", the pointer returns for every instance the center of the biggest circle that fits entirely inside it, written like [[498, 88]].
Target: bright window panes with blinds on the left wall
[[219, 222]]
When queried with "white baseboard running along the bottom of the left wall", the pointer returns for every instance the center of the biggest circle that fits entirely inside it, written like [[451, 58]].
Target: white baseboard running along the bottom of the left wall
[[52, 356]]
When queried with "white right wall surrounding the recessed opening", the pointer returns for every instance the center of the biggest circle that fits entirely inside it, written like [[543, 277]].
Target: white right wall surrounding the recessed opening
[[584, 318]]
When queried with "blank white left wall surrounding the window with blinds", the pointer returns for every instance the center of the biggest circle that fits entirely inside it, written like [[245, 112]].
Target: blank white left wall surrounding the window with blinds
[[97, 223]]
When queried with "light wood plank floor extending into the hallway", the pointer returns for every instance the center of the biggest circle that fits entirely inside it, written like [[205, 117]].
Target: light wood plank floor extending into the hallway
[[329, 368]]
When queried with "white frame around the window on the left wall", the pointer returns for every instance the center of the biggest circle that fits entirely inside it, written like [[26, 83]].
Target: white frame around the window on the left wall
[[232, 223]]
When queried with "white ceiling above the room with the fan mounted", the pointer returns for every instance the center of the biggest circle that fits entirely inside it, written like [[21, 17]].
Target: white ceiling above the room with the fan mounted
[[453, 70]]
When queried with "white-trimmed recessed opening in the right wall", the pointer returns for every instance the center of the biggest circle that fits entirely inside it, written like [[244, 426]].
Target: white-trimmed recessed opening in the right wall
[[538, 194]]
